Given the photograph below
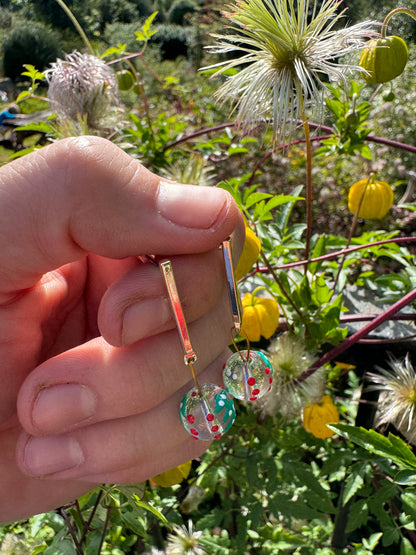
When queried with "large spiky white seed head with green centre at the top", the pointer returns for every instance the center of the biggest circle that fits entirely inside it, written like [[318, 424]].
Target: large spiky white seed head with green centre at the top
[[286, 46]]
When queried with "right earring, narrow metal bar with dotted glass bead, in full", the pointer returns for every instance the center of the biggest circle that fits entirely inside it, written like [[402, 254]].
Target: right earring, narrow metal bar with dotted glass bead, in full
[[247, 375]]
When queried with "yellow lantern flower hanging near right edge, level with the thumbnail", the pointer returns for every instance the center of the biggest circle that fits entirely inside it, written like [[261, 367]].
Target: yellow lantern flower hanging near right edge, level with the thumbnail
[[377, 198]]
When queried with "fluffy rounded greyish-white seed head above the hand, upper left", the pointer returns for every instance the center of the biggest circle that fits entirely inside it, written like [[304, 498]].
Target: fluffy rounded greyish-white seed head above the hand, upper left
[[82, 86]]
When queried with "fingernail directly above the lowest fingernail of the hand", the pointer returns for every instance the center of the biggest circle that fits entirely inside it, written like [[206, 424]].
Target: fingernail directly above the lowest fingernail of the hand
[[61, 407]]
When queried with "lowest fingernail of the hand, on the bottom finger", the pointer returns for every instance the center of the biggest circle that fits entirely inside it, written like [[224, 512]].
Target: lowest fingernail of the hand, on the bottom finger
[[48, 455]]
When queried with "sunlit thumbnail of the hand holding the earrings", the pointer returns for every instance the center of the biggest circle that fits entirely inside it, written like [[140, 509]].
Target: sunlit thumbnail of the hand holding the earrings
[[191, 205]]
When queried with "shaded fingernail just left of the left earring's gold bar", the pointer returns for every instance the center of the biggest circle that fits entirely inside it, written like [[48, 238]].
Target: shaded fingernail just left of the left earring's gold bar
[[144, 319]]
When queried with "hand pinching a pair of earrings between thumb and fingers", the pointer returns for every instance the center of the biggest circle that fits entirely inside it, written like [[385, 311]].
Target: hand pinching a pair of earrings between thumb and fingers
[[92, 368]]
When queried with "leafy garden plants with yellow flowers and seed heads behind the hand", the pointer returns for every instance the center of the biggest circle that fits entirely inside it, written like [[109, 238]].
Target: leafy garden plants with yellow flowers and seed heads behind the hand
[[307, 120]]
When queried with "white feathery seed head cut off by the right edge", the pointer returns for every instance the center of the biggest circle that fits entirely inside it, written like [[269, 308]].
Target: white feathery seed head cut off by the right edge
[[397, 400]]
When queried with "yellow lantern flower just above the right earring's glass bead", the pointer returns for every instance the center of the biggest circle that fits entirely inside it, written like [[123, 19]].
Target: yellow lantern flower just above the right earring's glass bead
[[260, 317]]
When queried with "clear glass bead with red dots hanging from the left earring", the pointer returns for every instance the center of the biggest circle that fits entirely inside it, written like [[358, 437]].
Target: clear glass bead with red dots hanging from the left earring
[[207, 415]]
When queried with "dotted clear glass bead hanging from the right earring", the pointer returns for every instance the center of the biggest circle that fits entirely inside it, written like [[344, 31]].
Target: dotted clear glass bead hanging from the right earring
[[248, 375]]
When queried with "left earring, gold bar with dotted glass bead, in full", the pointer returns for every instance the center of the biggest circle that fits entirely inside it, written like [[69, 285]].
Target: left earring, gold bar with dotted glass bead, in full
[[207, 410]]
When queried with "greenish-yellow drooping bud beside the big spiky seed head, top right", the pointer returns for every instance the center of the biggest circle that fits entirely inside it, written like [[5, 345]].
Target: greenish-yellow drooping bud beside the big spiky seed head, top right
[[383, 59]]
